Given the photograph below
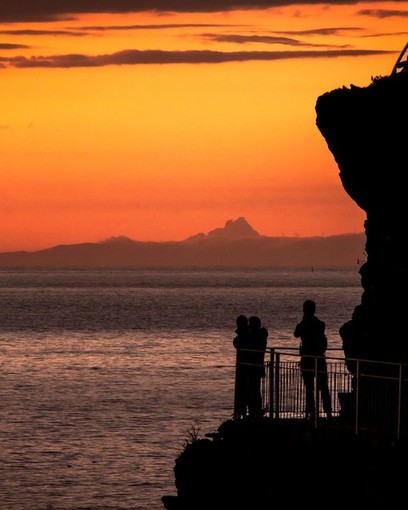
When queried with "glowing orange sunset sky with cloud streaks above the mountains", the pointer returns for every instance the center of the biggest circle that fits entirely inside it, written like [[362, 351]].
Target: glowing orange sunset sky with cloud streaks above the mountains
[[158, 126]]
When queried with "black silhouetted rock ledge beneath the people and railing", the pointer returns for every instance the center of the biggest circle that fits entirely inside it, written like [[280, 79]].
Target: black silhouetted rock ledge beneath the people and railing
[[264, 463]]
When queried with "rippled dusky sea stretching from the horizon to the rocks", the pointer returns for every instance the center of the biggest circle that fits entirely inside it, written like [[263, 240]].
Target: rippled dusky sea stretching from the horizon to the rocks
[[106, 374]]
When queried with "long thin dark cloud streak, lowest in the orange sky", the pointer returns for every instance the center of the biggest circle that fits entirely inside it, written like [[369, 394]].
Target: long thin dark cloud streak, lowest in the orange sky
[[134, 57]]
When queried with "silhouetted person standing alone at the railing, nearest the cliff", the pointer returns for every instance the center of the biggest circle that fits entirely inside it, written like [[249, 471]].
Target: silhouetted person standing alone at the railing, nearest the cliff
[[313, 346]]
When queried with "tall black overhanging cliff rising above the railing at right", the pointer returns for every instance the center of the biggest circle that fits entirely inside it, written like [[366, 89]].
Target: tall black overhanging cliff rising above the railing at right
[[366, 130]]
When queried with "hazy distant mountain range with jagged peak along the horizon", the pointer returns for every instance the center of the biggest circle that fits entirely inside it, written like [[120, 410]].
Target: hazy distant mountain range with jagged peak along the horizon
[[236, 244]]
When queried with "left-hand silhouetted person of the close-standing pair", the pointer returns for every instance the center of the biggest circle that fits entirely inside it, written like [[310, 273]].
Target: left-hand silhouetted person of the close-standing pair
[[241, 344]]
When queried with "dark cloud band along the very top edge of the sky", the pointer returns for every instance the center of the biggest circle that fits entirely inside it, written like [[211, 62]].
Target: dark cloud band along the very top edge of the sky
[[49, 10]]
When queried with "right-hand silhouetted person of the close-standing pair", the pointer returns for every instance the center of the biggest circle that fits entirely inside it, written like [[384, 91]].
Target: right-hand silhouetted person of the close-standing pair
[[256, 367]]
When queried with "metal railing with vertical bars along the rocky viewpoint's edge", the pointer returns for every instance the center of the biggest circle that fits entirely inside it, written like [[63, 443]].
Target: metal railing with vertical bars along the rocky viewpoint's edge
[[366, 396]]
